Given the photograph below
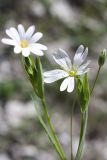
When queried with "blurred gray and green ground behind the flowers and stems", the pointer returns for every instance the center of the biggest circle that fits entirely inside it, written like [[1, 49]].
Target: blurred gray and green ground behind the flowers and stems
[[66, 24]]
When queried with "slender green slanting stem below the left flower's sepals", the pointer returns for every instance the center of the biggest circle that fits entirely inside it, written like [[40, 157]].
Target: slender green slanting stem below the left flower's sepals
[[52, 129]]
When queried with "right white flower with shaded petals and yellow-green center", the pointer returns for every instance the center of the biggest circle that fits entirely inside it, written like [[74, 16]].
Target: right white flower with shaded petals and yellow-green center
[[68, 70]]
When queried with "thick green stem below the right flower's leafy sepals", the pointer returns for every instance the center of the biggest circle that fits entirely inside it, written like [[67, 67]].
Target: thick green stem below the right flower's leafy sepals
[[84, 119]]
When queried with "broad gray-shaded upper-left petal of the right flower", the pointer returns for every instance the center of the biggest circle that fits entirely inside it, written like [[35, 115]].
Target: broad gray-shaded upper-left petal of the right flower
[[62, 59]]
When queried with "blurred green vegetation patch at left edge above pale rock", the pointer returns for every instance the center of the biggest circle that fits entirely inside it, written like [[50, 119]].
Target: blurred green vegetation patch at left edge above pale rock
[[14, 88]]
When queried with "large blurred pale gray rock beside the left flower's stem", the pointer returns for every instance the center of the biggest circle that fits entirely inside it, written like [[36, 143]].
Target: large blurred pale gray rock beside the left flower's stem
[[17, 111]]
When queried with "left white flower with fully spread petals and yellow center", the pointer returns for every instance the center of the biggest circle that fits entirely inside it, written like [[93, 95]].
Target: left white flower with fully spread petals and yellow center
[[24, 41]]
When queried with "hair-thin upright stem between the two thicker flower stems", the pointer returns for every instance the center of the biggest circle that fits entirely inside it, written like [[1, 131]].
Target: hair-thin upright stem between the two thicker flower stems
[[72, 111]]
